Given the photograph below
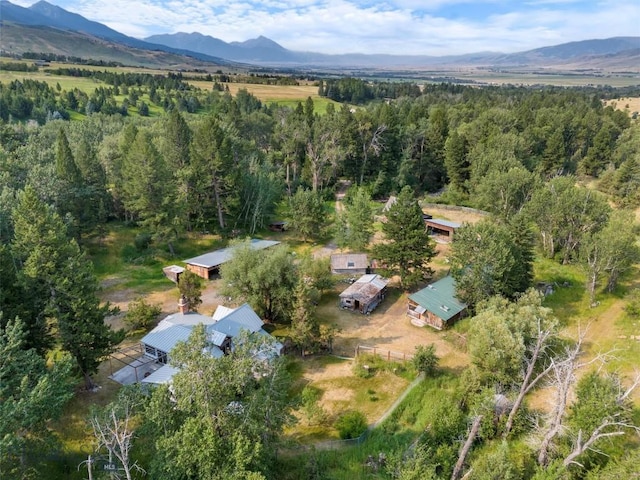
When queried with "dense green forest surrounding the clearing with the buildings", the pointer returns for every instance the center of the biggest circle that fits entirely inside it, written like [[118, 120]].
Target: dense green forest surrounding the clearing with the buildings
[[558, 172]]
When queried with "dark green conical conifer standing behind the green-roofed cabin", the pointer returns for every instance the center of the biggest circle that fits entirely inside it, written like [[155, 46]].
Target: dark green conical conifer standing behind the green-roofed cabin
[[407, 248]]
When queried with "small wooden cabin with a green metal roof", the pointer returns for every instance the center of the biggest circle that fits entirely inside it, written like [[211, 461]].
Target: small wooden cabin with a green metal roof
[[436, 305]]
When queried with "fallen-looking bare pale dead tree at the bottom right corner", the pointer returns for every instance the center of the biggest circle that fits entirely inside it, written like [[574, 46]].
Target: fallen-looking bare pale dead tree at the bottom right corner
[[610, 426]]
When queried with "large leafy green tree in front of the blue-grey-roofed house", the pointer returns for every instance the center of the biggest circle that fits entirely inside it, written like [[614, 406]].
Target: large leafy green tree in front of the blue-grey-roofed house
[[225, 415]]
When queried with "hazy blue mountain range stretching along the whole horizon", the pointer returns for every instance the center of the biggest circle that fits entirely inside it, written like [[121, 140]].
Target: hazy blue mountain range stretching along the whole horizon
[[47, 28]]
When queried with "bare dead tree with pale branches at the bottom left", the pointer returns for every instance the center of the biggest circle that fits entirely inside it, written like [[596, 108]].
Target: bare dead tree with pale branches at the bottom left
[[114, 433]]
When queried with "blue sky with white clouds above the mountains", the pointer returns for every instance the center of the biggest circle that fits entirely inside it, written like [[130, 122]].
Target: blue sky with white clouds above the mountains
[[412, 27]]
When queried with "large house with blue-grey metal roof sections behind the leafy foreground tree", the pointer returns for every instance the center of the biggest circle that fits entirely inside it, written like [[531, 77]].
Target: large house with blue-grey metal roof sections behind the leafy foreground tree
[[222, 330]]
